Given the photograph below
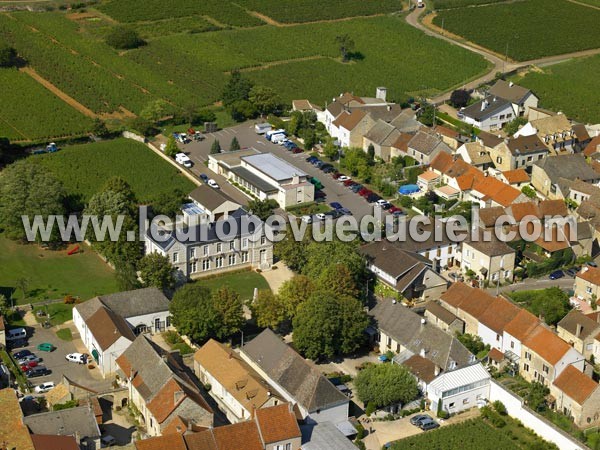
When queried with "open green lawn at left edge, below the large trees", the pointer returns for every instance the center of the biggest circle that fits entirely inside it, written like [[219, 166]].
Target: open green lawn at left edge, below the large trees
[[52, 274]]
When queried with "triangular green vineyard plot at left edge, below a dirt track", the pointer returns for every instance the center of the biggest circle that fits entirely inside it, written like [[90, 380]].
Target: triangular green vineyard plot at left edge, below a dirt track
[[31, 112]]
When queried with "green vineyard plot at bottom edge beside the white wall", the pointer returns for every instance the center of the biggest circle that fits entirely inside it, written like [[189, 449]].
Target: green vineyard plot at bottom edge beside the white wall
[[474, 434]]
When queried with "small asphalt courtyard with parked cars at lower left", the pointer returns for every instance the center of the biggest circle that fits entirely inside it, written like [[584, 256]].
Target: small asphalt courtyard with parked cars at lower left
[[56, 362]]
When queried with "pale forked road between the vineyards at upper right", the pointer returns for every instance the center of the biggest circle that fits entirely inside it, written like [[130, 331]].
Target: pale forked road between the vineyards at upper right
[[498, 64]]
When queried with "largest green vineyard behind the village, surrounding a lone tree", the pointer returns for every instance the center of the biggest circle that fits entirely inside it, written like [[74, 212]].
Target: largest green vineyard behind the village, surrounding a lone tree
[[301, 61]]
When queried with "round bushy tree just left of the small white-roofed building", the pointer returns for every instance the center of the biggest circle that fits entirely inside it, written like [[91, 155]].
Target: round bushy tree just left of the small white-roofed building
[[386, 384]]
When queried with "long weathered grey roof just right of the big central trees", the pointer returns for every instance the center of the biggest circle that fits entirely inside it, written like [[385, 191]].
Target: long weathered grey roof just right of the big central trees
[[405, 326]]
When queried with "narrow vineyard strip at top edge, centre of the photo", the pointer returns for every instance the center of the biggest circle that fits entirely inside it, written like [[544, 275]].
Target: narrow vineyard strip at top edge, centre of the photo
[[294, 11]]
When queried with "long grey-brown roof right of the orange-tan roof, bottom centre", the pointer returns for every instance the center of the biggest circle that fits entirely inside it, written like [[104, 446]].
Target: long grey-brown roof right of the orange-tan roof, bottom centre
[[300, 378]]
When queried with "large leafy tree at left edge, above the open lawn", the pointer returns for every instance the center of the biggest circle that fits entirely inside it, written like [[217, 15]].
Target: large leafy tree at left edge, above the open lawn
[[28, 189]]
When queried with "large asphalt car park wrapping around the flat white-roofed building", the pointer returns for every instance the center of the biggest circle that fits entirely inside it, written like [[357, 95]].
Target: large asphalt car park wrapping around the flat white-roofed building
[[336, 192]]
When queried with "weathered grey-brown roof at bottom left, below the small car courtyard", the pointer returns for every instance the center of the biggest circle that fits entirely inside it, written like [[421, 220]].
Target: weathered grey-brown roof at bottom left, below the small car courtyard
[[68, 422]]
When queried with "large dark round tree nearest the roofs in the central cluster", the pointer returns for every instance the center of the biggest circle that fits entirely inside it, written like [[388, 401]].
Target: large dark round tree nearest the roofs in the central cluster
[[326, 325]]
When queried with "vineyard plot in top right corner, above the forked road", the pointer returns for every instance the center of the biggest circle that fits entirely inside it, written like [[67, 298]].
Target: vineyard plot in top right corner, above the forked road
[[557, 27]]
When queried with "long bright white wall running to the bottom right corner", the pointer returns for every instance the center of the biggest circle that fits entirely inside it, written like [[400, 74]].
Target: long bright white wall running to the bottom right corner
[[539, 425]]
